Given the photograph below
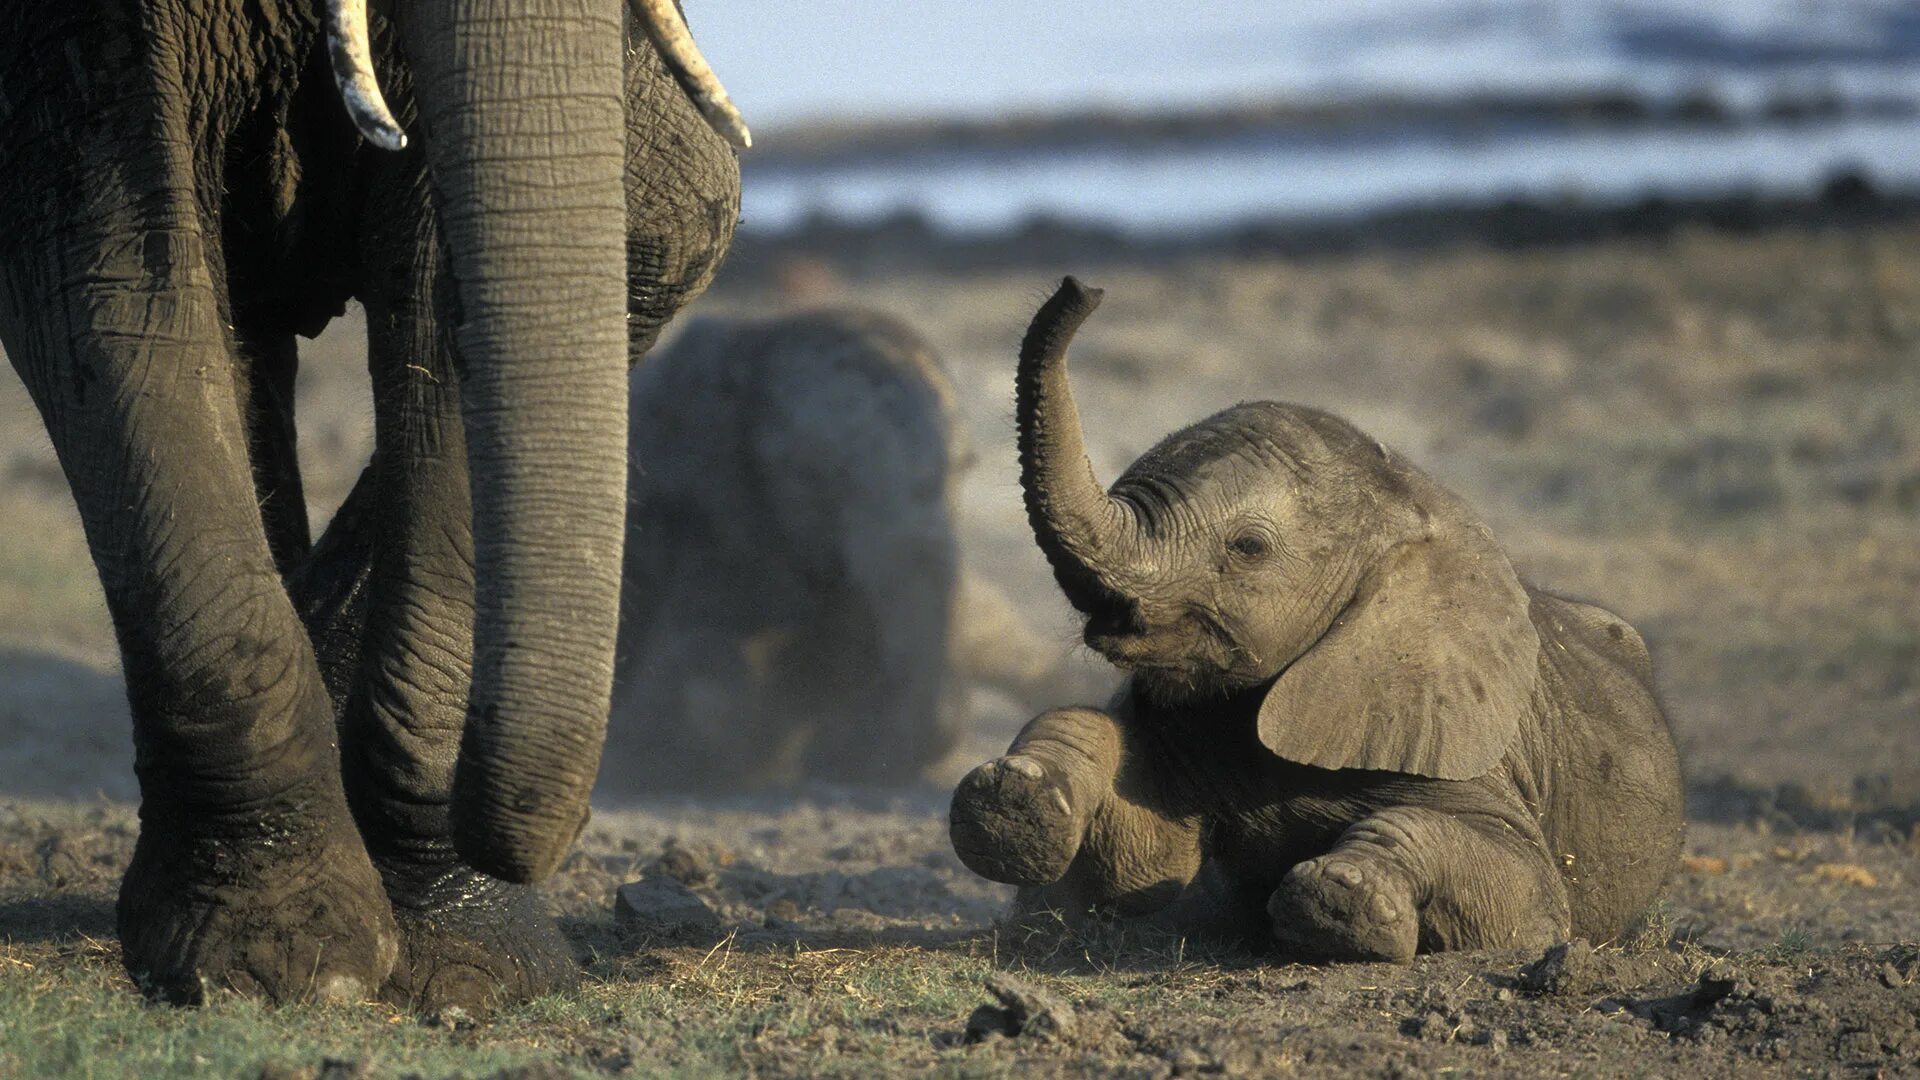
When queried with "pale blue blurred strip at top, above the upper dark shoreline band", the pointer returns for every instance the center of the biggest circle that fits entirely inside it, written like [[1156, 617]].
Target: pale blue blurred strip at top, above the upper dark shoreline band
[[832, 59]]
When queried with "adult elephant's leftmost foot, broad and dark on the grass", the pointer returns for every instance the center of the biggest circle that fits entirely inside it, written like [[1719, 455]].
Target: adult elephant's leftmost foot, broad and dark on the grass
[[272, 910]]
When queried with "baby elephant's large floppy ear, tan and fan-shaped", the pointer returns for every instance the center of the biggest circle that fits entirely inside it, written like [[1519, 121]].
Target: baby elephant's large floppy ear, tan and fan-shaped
[[1429, 672]]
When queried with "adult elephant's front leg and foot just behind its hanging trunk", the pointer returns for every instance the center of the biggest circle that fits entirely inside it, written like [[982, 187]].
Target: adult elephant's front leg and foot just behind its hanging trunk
[[468, 939]]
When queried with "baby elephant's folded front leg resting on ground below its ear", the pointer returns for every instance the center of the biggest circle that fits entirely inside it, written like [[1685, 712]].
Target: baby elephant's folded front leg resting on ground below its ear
[[1412, 879]]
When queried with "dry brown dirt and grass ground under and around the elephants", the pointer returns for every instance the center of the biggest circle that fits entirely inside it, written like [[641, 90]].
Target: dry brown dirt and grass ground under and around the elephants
[[1717, 437]]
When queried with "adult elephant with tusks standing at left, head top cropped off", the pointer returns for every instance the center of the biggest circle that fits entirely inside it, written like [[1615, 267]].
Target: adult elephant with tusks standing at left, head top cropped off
[[356, 754]]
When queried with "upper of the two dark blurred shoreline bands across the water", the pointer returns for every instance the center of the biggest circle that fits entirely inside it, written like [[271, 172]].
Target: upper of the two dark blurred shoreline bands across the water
[[836, 145]]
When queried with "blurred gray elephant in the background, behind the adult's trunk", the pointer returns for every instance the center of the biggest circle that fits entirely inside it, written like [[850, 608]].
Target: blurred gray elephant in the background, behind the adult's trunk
[[792, 558]]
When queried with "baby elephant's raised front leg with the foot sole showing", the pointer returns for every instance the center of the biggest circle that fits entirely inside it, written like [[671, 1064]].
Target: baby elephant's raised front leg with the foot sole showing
[[1072, 816]]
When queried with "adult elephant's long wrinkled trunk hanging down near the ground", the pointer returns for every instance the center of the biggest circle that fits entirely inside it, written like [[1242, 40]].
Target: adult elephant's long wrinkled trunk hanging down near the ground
[[525, 135]]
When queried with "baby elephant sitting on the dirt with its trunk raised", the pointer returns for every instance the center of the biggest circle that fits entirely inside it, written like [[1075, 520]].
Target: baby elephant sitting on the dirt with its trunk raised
[[1343, 702]]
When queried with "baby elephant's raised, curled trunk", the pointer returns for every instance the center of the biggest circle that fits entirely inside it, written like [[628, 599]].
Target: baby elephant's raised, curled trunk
[[1086, 533]]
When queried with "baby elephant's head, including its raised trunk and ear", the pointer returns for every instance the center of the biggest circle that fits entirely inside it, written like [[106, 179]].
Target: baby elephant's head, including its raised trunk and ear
[[1259, 541]]
